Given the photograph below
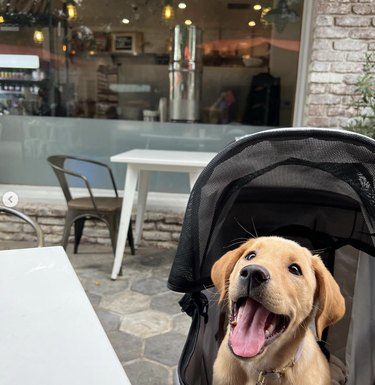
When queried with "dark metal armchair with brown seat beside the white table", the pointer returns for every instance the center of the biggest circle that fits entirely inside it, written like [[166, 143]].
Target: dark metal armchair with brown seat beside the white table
[[106, 209]]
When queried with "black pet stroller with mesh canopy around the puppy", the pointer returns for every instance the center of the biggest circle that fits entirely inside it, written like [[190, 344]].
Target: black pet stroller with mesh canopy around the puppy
[[315, 186]]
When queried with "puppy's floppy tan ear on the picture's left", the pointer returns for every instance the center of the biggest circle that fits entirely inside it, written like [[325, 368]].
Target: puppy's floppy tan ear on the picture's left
[[222, 269]]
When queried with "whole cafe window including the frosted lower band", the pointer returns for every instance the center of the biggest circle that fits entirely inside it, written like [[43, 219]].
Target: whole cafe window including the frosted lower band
[[163, 74]]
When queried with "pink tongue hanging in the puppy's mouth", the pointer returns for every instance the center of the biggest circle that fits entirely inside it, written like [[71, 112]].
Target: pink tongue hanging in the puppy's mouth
[[247, 337]]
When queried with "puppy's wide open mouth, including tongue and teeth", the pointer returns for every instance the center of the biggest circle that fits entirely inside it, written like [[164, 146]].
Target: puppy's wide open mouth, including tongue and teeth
[[253, 327]]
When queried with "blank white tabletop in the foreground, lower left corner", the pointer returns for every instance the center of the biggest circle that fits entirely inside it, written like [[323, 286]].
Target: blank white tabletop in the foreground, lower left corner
[[49, 331]]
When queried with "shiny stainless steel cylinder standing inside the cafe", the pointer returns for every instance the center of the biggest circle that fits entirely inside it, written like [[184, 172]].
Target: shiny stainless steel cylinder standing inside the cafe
[[185, 74]]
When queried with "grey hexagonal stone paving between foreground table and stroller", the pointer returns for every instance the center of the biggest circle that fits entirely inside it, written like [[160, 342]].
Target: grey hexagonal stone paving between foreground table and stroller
[[140, 314]]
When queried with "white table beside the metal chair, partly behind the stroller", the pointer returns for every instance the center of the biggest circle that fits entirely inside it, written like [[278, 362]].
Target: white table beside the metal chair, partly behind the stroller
[[139, 165]]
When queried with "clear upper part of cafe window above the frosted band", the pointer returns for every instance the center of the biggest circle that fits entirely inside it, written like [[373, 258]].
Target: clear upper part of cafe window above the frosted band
[[211, 61]]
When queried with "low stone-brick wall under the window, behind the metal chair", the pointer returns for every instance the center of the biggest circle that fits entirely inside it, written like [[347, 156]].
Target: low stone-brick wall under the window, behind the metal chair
[[161, 229]]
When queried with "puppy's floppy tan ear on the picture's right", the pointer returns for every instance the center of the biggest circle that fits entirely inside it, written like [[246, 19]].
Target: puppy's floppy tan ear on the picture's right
[[331, 302]]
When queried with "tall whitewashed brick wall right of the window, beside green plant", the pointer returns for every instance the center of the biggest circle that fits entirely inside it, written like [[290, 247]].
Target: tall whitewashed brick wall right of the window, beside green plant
[[344, 30]]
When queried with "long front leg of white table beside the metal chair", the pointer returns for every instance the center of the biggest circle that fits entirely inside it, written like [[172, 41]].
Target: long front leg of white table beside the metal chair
[[126, 212]]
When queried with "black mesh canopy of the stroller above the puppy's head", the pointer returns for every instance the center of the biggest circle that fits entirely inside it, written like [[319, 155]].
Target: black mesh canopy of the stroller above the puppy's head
[[307, 183]]
